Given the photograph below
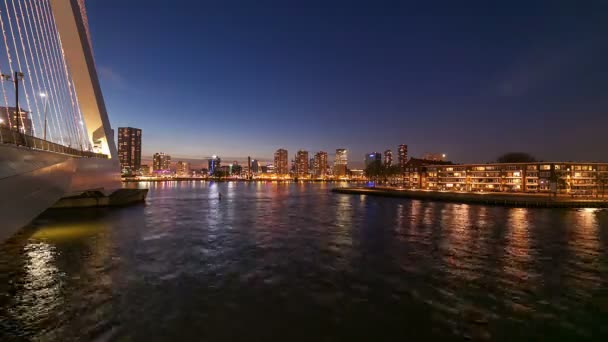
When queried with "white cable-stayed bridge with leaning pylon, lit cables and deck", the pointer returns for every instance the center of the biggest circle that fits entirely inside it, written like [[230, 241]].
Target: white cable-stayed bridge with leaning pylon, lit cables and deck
[[55, 136]]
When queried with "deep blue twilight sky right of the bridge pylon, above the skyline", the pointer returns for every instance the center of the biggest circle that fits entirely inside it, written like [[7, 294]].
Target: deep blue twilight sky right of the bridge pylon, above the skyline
[[472, 79]]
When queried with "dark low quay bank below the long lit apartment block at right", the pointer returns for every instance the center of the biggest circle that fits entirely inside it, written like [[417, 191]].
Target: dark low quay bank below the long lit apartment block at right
[[502, 199]]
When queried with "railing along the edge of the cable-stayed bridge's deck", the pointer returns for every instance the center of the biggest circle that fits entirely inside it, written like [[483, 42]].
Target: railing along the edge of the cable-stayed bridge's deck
[[9, 136]]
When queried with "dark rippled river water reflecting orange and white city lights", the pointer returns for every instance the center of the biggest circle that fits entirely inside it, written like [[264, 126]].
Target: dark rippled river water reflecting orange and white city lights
[[295, 262]]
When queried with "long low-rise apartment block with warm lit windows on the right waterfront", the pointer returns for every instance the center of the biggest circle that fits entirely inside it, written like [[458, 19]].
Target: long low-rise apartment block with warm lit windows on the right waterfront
[[562, 177]]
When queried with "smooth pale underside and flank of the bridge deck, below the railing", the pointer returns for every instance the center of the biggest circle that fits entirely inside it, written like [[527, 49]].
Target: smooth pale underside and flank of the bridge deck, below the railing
[[32, 181]]
